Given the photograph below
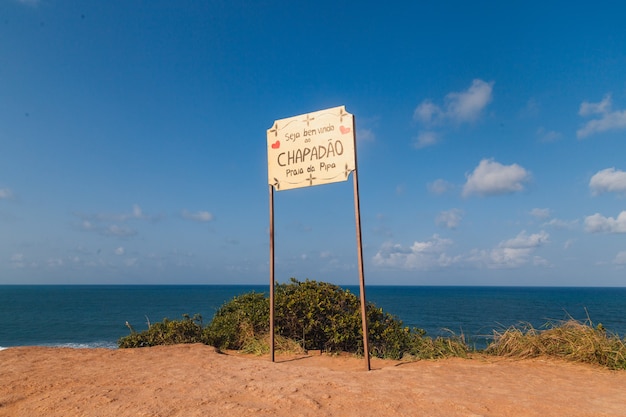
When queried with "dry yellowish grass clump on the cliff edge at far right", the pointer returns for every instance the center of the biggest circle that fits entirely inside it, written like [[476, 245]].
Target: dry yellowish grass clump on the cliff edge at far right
[[570, 340]]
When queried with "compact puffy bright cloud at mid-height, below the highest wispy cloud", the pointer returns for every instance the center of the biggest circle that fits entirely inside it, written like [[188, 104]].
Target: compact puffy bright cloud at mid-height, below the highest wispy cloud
[[493, 178]]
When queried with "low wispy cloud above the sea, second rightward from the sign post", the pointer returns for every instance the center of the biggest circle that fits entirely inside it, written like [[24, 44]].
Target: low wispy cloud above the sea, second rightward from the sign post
[[513, 253]]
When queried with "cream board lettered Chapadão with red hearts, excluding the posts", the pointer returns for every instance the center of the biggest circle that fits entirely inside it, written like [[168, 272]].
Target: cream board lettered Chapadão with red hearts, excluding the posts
[[311, 149]]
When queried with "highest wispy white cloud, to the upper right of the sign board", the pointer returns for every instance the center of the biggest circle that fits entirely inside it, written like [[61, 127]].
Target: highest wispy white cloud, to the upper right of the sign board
[[459, 107]]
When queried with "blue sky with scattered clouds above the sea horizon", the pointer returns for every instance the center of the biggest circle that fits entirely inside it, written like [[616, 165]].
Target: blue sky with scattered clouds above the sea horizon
[[491, 141]]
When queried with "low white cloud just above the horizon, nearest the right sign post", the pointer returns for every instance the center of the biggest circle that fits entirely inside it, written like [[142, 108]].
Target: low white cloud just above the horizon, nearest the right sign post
[[420, 255]]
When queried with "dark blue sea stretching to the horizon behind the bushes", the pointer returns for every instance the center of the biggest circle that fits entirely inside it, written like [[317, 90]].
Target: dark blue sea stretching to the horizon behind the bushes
[[95, 316]]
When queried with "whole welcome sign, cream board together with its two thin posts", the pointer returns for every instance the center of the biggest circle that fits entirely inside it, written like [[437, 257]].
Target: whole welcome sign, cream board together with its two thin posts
[[313, 149]]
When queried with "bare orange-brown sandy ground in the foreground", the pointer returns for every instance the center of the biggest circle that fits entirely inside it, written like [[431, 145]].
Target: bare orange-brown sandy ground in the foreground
[[194, 380]]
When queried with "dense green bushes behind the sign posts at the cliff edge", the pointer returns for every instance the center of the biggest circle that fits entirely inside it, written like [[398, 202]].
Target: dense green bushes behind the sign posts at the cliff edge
[[315, 315]]
